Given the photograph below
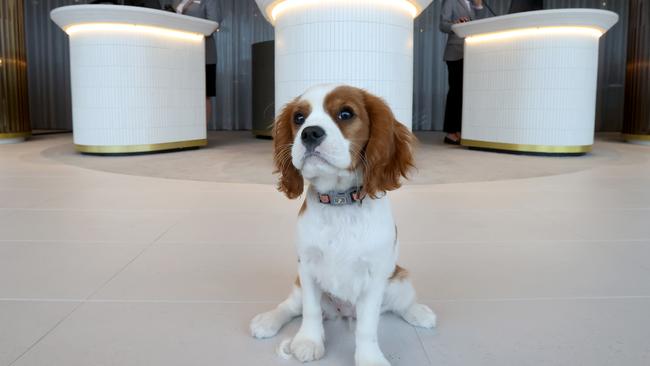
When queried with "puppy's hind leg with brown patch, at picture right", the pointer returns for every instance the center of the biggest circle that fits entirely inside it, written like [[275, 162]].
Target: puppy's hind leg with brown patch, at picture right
[[400, 298]]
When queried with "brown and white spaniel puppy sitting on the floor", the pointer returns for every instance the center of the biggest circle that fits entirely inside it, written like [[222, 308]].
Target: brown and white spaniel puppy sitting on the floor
[[350, 148]]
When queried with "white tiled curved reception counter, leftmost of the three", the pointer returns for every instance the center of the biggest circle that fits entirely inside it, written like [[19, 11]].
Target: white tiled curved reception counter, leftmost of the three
[[137, 78]]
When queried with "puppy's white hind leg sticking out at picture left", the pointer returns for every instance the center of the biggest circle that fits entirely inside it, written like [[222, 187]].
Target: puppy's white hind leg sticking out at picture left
[[268, 324]]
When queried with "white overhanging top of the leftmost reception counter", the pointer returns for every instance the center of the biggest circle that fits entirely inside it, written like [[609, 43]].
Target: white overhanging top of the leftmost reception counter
[[67, 16]]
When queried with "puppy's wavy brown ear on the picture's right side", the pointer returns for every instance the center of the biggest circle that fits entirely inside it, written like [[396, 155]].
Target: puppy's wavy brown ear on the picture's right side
[[389, 152]]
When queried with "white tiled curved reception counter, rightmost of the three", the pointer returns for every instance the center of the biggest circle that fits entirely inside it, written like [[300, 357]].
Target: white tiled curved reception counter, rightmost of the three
[[530, 80]]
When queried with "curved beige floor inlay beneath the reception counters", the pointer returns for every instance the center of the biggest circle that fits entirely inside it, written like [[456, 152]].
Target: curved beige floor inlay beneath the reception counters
[[237, 157]]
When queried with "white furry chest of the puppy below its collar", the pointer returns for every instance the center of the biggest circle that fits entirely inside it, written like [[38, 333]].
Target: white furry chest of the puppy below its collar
[[343, 247]]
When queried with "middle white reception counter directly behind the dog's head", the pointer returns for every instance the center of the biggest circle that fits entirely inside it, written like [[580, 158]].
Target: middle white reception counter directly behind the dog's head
[[365, 43]]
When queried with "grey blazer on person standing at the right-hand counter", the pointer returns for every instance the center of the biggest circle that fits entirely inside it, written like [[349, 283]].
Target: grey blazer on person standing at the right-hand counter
[[453, 10]]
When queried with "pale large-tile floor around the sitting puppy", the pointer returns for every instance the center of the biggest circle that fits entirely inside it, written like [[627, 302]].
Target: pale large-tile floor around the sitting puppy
[[99, 268]]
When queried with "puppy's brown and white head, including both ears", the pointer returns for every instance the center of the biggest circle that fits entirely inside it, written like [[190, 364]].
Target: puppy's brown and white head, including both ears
[[333, 130]]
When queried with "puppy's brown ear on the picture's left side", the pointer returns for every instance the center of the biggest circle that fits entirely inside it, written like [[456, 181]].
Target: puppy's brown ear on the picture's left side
[[291, 181]]
